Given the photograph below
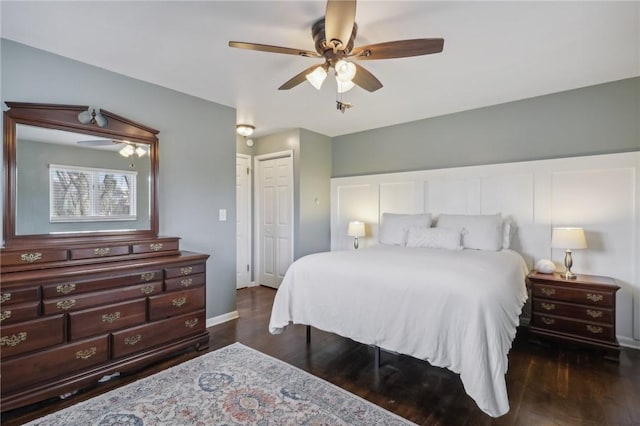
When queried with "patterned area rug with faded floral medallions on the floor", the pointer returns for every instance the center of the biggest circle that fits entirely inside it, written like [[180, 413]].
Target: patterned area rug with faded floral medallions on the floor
[[230, 386]]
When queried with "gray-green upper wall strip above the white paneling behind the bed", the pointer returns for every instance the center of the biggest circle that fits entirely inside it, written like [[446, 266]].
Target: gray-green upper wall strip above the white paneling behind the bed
[[599, 119]]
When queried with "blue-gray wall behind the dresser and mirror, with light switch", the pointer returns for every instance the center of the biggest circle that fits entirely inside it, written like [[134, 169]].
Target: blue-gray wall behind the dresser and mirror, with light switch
[[197, 149]]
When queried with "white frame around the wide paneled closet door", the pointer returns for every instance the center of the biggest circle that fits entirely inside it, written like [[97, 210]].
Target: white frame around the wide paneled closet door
[[256, 203]]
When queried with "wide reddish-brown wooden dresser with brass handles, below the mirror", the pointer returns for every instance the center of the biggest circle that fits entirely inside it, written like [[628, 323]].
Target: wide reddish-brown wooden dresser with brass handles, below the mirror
[[75, 314]]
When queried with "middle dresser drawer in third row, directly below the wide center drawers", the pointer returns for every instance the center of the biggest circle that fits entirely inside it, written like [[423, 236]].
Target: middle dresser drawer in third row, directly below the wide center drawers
[[91, 322]]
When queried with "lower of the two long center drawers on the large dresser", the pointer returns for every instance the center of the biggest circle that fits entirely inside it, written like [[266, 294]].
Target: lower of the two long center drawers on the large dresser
[[86, 300]]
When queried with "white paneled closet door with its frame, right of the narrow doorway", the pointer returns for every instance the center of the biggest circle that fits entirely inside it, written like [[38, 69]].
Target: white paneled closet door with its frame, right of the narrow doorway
[[274, 217]]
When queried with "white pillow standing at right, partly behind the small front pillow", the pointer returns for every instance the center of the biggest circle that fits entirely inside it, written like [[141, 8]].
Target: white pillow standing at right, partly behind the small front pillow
[[481, 232]]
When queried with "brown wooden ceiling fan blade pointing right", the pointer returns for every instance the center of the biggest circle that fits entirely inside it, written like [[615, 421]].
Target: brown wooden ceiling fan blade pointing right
[[398, 49]]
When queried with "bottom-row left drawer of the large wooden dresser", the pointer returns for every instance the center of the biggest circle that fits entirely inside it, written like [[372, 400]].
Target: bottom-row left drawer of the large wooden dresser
[[56, 362]]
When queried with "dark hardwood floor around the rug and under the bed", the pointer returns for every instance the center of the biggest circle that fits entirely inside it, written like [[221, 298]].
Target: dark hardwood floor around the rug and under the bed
[[547, 384]]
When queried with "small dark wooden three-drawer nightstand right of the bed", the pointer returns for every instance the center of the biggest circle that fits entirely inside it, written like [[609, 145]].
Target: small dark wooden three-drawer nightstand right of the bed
[[581, 310]]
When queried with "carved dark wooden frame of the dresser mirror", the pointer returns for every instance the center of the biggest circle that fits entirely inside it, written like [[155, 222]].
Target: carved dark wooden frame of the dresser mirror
[[65, 117]]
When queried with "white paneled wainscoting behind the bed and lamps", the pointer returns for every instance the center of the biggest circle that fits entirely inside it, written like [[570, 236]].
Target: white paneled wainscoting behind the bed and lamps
[[600, 193]]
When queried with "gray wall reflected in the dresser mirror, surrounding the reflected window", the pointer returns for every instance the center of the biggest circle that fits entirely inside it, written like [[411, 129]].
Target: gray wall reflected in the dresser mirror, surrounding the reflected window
[[33, 160]]
